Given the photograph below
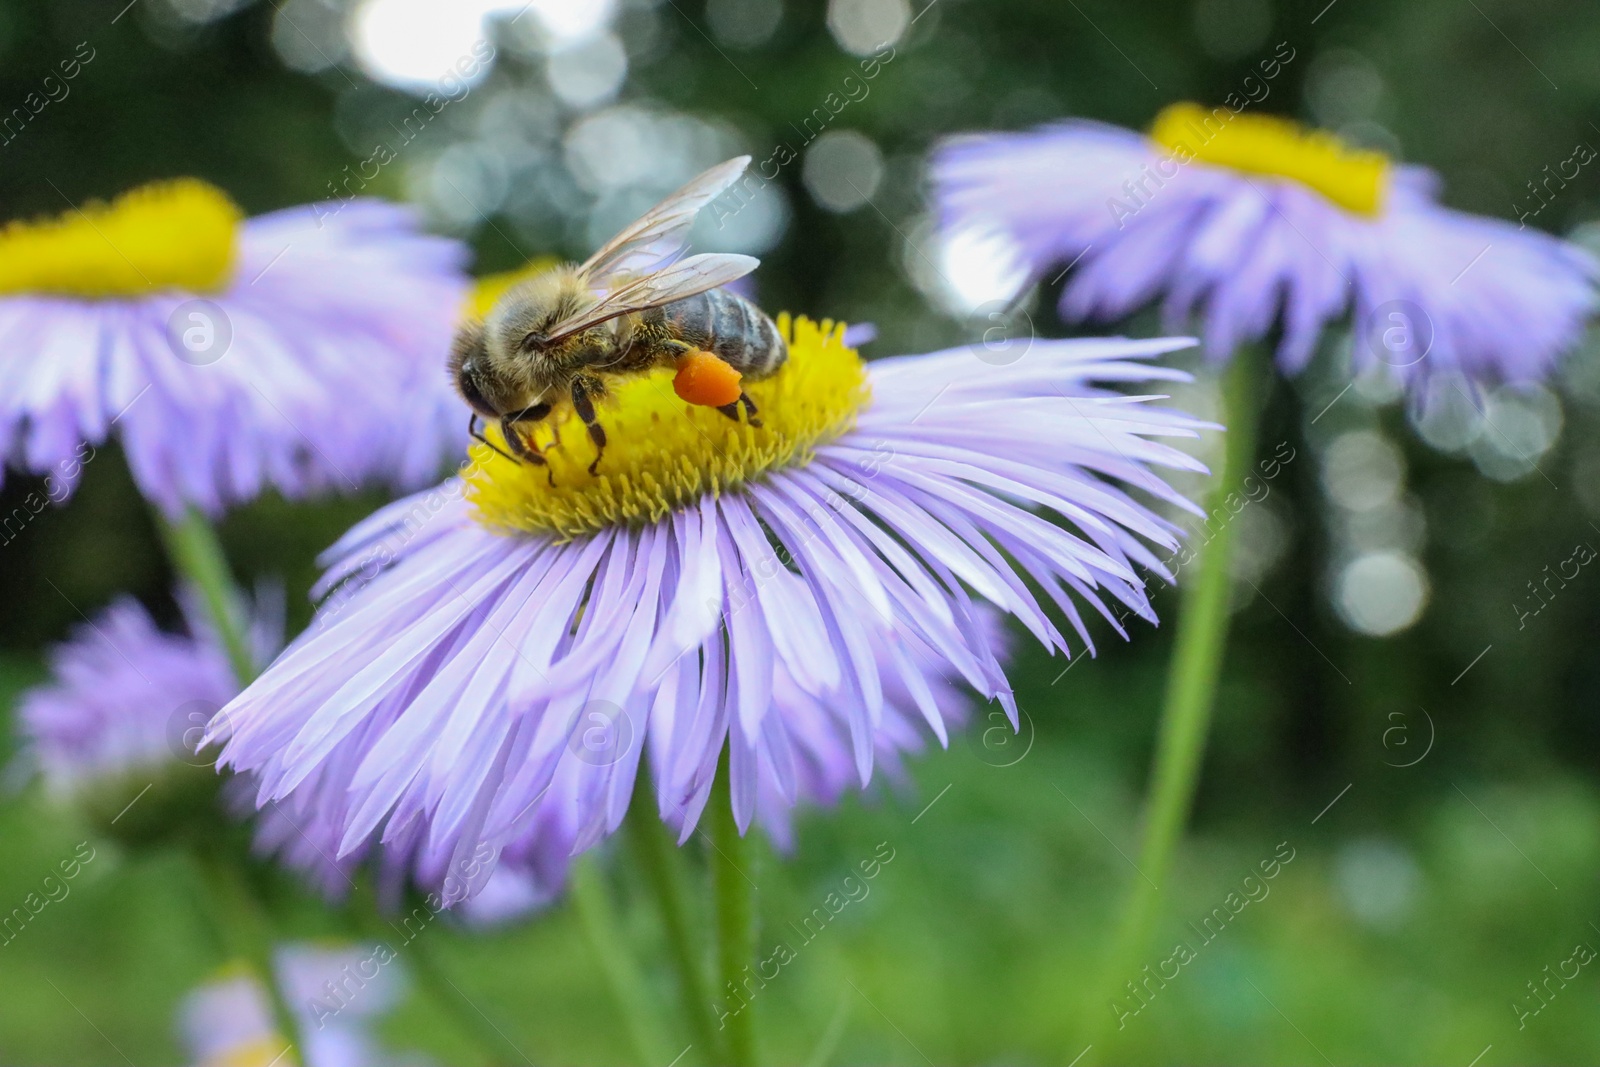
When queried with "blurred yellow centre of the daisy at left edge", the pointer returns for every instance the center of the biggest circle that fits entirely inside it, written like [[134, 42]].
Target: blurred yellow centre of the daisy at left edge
[[167, 236]]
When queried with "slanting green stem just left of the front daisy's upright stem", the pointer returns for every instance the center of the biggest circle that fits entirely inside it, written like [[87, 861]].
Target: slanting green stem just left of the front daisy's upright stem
[[662, 863]]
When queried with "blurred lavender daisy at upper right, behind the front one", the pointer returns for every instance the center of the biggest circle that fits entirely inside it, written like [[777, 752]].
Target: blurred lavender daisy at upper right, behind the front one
[[1252, 222]]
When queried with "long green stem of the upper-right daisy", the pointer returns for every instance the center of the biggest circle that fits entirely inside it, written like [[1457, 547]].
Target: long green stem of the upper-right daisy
[[1191, 687]]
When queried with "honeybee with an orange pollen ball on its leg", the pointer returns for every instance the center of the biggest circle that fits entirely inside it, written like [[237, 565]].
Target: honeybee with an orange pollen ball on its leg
[[633, 306]]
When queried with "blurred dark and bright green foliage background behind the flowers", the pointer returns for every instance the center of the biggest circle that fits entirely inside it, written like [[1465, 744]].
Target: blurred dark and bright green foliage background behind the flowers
[[983, 938]]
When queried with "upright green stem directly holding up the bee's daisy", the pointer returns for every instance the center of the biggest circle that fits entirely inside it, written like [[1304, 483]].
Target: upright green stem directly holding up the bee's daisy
[[735, 917]]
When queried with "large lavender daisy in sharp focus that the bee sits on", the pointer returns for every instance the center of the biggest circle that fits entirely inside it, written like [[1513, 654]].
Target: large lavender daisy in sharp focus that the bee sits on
[[500, 653]]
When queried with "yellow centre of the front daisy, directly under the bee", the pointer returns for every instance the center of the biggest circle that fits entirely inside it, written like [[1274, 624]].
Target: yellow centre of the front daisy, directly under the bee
[[663, 454]]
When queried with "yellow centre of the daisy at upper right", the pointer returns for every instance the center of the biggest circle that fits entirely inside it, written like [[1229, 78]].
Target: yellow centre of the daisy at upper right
[[1263, 145]]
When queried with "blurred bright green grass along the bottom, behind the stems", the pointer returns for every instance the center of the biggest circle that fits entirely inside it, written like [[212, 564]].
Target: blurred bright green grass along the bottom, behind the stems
[[978, 943]]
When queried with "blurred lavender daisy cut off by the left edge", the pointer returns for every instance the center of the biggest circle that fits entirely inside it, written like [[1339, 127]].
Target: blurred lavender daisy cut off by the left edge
[[228, 354]]
